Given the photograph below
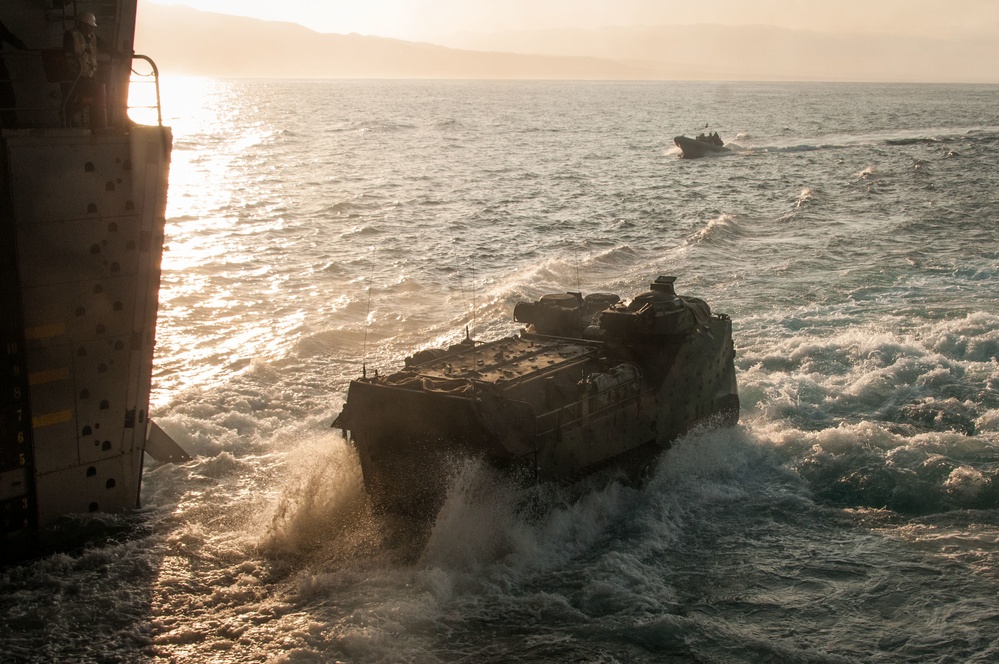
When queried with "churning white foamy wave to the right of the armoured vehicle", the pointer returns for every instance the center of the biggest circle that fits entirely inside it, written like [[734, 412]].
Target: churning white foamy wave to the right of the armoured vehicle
[[874, 417]]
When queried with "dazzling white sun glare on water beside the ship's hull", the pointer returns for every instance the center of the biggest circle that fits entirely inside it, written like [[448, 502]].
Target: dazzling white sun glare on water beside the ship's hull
[[208, 264]]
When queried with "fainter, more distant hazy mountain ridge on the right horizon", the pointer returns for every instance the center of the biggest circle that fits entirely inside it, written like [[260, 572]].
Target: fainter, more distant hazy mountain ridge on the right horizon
[[763, 52]]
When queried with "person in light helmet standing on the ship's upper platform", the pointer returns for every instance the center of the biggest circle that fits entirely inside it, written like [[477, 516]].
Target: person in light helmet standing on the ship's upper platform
[[81, 44]]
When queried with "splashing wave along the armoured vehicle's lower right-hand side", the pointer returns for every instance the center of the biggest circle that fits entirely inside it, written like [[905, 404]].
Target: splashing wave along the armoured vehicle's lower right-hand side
[[491, 519]]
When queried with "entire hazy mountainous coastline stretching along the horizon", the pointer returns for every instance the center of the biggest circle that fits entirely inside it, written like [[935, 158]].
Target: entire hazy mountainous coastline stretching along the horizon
[[186, 41]]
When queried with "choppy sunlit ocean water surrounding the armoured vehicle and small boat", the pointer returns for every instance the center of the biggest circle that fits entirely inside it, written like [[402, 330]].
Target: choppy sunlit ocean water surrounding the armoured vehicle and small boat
[[315, 226]]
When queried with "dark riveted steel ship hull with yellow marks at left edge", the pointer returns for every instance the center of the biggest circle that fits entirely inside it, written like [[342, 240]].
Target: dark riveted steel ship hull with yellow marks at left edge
[[81, 241]]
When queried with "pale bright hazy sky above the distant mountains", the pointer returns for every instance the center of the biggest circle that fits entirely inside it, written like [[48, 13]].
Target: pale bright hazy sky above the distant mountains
[[425, 19]]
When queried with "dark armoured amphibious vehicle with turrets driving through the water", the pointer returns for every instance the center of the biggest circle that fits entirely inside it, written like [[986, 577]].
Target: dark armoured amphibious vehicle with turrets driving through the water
[[590, 381]]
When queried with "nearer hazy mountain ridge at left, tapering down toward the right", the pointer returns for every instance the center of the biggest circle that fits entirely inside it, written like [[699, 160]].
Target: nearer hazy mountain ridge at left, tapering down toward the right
[[231, 46]]
